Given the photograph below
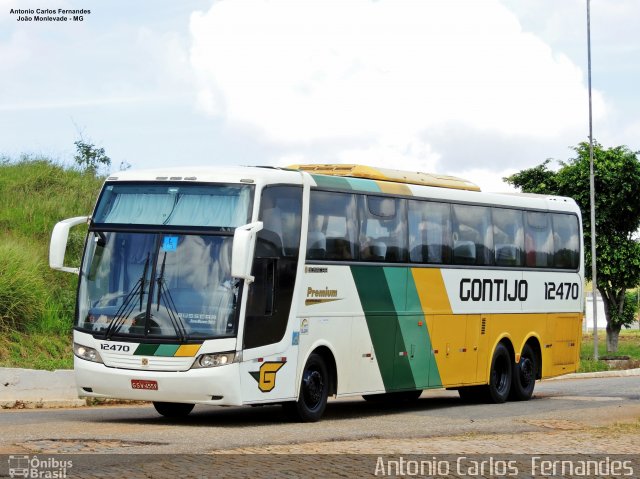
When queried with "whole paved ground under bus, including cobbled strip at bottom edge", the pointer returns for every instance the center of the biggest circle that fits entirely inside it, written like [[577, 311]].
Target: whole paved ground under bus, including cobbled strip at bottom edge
[[566, 416]]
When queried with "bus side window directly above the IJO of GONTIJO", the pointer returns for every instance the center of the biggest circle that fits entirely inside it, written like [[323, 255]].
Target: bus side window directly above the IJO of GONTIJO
[[508, 237]]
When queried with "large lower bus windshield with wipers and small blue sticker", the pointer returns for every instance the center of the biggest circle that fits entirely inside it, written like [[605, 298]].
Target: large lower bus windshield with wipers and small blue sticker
[[163, 285]]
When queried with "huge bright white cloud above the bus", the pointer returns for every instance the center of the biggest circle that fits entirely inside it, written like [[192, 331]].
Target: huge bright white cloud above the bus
[[321, 70]]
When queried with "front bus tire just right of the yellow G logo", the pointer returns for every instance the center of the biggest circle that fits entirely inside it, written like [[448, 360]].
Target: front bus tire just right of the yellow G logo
[[314, 391]]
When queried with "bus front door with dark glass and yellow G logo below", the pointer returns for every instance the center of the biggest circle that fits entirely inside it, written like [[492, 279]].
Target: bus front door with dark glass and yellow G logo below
[[269, 364]]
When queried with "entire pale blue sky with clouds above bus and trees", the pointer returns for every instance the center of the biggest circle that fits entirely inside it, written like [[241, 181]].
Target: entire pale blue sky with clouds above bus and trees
[[478, 89]]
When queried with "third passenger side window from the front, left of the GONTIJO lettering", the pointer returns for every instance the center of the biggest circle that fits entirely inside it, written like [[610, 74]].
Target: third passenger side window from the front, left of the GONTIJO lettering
[[429, 232]]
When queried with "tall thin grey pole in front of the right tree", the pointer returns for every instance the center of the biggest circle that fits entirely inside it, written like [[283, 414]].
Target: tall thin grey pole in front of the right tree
[[592, 195]]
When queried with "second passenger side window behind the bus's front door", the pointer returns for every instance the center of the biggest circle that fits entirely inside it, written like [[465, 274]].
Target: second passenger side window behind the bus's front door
[[382, 229]]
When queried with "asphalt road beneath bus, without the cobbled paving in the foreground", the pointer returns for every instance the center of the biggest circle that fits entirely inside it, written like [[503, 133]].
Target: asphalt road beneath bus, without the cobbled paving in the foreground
[[138, 429]]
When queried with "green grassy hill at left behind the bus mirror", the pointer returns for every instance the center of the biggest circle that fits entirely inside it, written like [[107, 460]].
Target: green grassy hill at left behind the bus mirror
[[36, 303]]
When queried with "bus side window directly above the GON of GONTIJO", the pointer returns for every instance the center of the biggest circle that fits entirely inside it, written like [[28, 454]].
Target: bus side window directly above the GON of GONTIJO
[[472, 235]]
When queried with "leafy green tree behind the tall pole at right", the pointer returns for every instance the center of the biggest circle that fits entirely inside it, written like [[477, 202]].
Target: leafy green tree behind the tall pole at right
[[616, 176]]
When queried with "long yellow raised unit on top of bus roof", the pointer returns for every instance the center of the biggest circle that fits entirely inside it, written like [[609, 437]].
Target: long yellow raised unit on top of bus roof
[[385, 174]]
